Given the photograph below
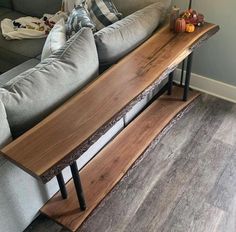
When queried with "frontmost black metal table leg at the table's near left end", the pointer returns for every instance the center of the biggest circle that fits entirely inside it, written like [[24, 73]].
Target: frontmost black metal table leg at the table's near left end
[[78, 185]]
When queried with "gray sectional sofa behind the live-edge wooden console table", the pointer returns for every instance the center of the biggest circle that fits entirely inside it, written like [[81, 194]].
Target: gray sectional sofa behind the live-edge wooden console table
[[26, 83]]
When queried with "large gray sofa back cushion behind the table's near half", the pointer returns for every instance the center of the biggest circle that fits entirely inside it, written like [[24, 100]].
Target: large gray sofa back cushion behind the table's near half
[[34, 94]]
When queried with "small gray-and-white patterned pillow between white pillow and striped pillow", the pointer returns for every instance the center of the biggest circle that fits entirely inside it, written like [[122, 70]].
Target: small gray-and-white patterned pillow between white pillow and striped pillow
[[78, 18]]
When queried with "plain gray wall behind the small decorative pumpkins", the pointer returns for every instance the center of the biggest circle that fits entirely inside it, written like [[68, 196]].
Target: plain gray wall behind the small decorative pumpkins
[[216, 59]]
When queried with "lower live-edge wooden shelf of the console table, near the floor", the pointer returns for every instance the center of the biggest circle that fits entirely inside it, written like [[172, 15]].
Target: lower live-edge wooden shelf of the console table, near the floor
[[107, 168]]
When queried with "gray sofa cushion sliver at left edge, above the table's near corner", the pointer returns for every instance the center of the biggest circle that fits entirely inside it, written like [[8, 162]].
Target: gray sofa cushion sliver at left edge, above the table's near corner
[[5, 133]]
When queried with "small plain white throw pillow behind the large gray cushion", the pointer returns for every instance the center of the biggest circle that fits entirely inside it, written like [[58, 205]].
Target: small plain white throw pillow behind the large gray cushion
[[55, 40]]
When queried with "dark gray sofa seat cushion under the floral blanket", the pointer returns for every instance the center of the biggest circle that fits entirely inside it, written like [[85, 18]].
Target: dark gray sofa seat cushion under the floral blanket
[[15, 52]]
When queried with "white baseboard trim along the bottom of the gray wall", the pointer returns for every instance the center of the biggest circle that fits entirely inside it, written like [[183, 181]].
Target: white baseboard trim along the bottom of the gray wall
[[210, 86]]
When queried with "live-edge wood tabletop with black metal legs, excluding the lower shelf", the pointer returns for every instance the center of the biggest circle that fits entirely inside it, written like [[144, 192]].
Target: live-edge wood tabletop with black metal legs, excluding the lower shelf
[[60, 139]]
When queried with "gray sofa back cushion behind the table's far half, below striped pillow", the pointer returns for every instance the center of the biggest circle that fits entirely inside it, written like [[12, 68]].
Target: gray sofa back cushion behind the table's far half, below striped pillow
[[118, 39]]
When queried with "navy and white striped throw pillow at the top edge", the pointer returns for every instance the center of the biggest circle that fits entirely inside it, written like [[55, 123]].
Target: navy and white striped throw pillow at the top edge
[[102, 12]]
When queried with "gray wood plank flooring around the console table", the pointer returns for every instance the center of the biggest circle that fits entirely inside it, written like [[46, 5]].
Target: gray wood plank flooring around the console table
[[186, 182]]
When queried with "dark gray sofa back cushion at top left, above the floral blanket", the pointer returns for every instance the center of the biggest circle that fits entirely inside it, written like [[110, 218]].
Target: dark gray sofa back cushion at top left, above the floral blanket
[[37, 7]]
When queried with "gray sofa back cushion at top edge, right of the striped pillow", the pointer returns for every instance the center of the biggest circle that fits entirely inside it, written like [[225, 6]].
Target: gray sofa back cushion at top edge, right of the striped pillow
[[127, 7]]
